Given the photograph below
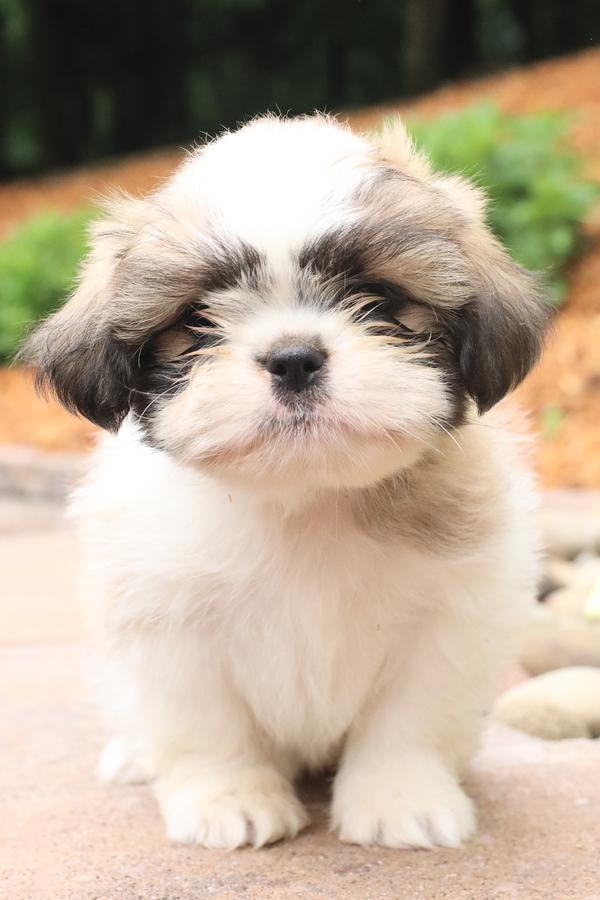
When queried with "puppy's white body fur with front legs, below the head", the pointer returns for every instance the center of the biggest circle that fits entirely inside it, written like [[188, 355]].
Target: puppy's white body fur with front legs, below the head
[[241, 641]]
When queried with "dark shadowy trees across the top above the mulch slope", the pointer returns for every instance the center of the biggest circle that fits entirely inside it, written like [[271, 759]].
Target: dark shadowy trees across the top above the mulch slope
[[83, 80]]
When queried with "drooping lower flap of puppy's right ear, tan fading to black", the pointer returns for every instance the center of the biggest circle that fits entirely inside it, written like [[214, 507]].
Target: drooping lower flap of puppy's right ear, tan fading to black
[[498, 334]]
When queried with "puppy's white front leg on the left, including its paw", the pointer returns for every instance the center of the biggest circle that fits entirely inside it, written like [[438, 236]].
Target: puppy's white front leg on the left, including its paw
[[219, 781]]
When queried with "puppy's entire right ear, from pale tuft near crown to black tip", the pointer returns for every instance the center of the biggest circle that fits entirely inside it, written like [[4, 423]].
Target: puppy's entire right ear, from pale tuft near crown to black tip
[[497, 334]]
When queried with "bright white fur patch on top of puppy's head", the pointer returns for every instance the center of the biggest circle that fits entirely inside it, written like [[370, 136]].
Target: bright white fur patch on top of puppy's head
[[269, 185]]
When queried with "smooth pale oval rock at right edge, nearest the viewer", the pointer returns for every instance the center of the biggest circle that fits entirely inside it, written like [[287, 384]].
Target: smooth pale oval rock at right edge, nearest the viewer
[[557, 705]]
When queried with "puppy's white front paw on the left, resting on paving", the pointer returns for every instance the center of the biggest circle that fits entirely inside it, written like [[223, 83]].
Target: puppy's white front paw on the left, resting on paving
[[228, 810]]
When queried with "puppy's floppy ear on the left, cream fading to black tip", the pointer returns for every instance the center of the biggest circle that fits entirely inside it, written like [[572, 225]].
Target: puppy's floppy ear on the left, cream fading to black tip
[[76, 354]]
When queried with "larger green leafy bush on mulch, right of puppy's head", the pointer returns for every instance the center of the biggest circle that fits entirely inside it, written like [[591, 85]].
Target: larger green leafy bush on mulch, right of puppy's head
[[538, 195]]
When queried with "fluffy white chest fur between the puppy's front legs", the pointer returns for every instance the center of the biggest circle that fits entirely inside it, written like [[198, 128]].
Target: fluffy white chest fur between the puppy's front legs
[[311, 638]]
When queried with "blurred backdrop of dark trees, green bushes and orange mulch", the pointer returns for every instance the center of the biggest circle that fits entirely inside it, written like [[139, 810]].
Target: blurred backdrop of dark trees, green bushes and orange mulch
[[101, 95]]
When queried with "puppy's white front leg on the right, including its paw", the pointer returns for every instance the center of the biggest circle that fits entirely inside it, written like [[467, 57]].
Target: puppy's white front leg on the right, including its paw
[[398, 780]]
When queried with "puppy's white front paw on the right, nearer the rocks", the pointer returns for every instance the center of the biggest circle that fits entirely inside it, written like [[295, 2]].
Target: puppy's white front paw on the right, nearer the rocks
[[418, 804]]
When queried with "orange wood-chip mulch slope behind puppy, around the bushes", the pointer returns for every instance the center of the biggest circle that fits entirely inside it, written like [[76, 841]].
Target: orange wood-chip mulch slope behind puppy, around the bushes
[[565, 385]]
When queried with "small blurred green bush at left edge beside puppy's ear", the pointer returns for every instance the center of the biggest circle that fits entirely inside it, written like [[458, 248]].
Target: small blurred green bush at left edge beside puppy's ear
[[38, 262]]
